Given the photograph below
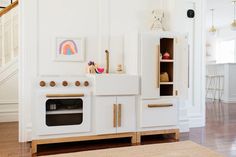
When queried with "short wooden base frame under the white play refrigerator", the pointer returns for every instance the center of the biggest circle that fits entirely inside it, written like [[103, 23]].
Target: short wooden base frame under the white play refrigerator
[[157, 132]]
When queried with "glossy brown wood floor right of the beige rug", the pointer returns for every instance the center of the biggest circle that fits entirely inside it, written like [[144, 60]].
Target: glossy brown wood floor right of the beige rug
[[220, 131]]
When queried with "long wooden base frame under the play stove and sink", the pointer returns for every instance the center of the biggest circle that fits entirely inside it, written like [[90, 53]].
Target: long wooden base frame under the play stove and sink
[[35, 143]]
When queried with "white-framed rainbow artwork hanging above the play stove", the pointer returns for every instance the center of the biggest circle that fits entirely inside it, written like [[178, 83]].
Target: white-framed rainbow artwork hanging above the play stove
[[70, 49]]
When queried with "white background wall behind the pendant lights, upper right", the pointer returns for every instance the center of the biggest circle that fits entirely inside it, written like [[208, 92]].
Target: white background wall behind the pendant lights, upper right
[[223, 17]]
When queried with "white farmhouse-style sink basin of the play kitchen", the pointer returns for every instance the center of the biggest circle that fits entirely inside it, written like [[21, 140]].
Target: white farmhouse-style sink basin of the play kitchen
[[115, 84]]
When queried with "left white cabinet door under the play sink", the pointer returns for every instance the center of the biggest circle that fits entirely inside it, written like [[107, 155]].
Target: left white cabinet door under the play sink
[[104, 115]]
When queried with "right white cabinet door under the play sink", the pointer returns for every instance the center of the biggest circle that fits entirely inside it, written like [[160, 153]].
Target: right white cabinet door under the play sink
[[126, 121]]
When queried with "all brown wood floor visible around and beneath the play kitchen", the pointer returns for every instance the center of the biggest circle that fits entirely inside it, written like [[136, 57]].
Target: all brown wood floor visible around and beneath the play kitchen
[[219, 135]]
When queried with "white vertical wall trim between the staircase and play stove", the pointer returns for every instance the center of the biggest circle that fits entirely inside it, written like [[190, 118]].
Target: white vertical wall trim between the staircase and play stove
[[29, 33]]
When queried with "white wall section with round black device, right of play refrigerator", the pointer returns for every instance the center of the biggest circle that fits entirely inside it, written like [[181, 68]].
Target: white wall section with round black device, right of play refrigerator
[[195, 29]]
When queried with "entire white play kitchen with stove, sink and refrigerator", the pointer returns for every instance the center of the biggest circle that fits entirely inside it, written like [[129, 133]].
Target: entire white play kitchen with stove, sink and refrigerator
[[143, 101]]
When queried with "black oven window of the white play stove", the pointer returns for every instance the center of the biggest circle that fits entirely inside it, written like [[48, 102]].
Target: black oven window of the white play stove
[[61, 112]]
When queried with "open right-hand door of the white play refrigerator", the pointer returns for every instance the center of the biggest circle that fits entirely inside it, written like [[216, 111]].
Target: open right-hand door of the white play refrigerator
[[182, 66]]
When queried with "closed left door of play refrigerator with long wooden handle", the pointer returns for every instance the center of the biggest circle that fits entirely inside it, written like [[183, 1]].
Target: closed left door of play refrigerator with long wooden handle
[[149, 66]]
